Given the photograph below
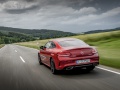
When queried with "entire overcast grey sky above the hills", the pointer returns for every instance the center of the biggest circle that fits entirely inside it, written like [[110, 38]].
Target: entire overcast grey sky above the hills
[[64, 15]]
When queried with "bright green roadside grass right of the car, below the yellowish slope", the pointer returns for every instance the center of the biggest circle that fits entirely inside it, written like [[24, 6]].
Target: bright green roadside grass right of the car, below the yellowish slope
[[109, 51]]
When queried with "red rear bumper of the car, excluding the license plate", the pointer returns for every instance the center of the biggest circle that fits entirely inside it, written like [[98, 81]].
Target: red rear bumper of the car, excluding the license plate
[[64, 62]]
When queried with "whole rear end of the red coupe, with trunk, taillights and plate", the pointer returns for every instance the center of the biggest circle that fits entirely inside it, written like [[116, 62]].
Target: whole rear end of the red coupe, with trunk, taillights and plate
[[77, 56]]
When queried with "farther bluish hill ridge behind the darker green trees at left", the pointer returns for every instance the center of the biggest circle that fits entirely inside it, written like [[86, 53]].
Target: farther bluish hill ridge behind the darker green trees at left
[[42, 33]]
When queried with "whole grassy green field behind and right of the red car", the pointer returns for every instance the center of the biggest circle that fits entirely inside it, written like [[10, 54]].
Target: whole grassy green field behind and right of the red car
[[107, 44]]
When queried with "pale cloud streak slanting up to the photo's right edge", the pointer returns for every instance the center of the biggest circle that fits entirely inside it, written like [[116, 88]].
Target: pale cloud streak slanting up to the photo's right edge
[[92, 17]]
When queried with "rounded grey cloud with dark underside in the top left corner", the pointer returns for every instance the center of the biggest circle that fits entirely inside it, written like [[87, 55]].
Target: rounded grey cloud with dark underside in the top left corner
[[17, 7]]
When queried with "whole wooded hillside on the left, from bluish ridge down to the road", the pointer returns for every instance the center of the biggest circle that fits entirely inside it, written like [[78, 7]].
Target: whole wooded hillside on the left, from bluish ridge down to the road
[[12, 35]]
